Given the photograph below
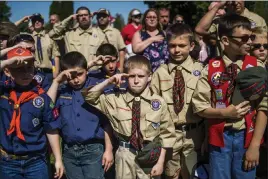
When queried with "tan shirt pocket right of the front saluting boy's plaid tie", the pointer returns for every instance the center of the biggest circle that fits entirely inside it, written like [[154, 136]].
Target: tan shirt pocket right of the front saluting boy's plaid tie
[[152, 121]]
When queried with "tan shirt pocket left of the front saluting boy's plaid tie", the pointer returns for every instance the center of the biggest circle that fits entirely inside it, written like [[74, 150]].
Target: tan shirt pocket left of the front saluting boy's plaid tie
[[122, 122]]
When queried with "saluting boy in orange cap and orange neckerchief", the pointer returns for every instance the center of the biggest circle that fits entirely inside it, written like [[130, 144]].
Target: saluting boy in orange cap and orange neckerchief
[[26, 116]]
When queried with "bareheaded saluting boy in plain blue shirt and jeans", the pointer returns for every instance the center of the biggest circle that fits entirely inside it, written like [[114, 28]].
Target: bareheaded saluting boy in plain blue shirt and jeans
[[83, 128]]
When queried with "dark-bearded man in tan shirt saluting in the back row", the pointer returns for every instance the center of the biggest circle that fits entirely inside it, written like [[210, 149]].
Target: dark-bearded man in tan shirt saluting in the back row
[[82, 38]]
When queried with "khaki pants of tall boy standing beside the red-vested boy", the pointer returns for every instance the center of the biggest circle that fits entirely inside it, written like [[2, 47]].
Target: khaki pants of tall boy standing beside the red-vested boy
[[185, 151]]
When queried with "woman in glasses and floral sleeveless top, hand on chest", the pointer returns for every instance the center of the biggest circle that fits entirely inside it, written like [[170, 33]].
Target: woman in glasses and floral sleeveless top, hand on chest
[[150, 40]]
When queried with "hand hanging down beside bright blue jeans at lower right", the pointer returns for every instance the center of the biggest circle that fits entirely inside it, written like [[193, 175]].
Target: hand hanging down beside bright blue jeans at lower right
[[251, 158]]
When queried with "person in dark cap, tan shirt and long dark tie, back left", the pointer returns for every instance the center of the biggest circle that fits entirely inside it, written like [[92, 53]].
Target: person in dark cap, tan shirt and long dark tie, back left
[[46, 50]]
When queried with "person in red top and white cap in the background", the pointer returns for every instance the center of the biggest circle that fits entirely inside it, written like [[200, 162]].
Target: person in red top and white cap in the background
[[134, 24]]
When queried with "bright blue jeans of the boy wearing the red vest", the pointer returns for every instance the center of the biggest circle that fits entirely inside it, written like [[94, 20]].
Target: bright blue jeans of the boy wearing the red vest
[[227, 162]]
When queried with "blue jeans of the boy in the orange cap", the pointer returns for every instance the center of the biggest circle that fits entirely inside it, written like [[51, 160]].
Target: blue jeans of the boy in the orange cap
[[33, 168]]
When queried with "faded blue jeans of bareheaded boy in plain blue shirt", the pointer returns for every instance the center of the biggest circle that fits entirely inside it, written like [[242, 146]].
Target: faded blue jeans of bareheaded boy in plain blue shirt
[[83, 161]]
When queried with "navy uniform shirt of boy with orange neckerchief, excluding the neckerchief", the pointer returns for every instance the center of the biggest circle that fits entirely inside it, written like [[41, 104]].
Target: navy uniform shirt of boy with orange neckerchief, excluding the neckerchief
[[36, 120]]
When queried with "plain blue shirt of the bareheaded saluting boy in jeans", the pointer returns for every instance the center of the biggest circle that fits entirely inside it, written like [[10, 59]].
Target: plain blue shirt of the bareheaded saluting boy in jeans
[[79, 122]]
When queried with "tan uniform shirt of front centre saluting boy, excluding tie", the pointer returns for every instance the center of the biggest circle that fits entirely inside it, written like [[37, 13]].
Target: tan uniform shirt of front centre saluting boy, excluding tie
[[154, 121]]
